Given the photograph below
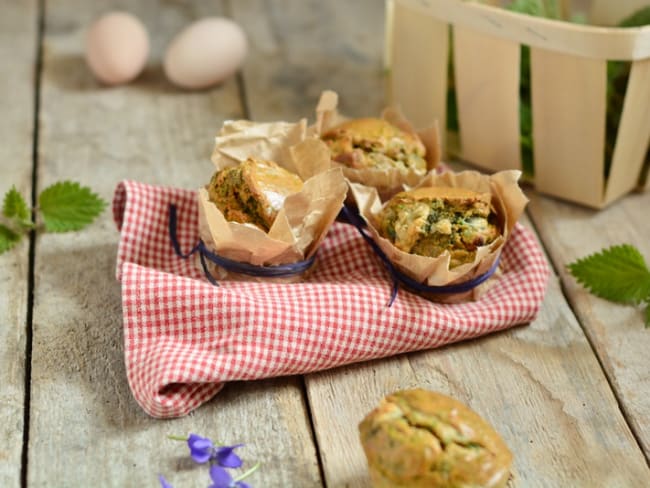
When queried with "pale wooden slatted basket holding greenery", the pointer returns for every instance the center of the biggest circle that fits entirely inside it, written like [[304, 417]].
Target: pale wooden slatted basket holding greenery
[[568, 88]]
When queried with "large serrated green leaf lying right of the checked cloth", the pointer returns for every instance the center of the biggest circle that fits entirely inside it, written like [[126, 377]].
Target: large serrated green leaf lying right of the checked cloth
[[618, 273]]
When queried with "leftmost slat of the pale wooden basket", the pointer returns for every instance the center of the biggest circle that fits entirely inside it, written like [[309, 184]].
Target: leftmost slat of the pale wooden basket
[[419, 57]]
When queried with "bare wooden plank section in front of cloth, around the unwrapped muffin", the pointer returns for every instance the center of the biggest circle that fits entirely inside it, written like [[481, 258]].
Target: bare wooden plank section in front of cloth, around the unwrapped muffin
[[539, 385]]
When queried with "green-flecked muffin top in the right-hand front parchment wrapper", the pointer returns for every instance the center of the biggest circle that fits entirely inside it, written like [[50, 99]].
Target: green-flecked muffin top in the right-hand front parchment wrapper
[[428, 221]]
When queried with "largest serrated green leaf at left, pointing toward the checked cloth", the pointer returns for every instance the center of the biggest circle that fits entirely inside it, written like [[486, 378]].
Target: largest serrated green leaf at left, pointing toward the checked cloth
[[67, 206]]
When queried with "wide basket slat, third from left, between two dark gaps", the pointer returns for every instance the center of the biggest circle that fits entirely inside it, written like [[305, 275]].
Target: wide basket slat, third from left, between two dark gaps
[[568, 99]]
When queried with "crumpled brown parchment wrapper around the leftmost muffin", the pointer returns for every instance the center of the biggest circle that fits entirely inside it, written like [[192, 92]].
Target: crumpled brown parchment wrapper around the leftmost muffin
[[304, 217]]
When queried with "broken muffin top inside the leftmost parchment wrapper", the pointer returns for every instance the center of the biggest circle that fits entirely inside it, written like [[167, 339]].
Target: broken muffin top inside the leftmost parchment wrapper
[[253, 191]]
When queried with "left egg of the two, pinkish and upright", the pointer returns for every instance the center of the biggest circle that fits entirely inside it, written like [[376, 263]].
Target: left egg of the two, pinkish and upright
[[117, 46]]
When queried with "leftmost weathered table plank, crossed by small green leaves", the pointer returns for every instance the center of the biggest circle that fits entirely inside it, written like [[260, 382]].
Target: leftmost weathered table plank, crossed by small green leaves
[[18, 40]]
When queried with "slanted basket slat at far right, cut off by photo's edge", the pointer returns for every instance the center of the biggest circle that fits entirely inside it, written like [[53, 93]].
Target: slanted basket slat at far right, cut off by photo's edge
[[633, 133]]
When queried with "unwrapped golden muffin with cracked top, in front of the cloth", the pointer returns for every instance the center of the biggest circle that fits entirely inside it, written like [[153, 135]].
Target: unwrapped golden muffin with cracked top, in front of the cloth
[[417, 438]]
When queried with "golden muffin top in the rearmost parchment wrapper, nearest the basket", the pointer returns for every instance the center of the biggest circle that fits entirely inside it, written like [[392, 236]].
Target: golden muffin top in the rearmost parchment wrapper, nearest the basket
[[372, 143]]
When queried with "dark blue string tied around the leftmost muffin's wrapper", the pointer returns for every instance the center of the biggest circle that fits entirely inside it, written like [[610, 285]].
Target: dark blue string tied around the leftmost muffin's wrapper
[[280, 270]]
